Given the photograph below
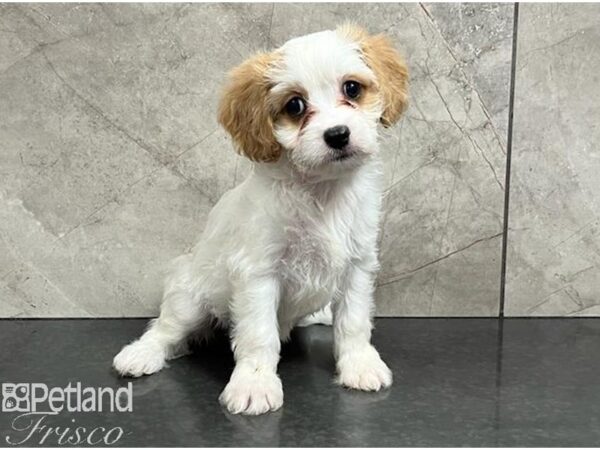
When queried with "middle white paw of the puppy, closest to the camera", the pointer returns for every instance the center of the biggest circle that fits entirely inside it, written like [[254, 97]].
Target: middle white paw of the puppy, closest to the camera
[[252, 392]]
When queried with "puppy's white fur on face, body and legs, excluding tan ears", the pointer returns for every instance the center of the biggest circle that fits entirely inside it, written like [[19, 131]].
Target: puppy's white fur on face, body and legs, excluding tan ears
[[296, 238]]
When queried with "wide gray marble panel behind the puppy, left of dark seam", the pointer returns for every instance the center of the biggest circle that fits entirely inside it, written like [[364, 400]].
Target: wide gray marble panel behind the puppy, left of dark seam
[[111, 155]]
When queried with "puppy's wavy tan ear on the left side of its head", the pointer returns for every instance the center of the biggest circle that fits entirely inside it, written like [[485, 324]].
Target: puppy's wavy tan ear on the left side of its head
[[244, 110]]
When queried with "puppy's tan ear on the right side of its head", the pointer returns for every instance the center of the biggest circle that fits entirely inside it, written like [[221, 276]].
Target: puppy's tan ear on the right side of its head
[[389, 68]]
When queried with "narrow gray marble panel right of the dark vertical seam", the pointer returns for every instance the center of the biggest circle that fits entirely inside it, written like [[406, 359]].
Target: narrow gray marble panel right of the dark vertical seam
[[554, 238]]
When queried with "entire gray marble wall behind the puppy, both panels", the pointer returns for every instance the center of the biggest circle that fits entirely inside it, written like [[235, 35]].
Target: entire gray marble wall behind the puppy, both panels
[[111, 157]]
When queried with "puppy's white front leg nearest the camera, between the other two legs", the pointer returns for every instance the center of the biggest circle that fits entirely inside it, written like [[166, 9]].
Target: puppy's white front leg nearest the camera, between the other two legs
[[254, 387]]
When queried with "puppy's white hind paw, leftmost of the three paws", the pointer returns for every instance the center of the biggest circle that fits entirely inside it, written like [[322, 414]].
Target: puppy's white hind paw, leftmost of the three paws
[[142, 357]]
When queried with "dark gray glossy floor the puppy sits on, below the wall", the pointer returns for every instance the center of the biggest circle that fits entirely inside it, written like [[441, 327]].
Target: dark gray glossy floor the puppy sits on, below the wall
[[458, 382]]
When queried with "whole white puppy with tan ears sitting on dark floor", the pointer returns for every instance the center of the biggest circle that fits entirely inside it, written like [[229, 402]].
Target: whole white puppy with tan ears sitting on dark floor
[[299, 235]]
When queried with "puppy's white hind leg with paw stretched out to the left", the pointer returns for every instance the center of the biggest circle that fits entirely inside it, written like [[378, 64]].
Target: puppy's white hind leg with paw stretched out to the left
[[182, 313]]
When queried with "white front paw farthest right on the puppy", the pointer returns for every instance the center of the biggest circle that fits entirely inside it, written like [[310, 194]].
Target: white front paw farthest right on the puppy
[[363, 369]]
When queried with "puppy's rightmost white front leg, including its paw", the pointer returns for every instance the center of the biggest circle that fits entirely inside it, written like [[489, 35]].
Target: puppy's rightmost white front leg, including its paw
[[359, 365]]
